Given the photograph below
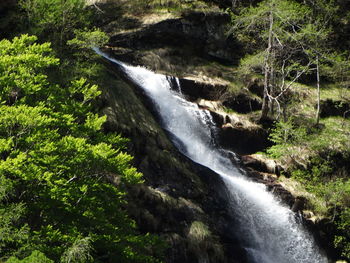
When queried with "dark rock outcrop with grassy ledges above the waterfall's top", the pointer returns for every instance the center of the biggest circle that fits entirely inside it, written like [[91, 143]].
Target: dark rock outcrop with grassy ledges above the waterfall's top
[[173, 44]]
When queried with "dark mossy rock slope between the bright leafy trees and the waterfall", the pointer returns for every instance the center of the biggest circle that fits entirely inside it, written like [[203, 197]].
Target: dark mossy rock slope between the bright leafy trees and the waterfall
[[181, 201]]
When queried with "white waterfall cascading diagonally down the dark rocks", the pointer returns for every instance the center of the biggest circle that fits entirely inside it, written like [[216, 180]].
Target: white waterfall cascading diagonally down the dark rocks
[[268, 230]]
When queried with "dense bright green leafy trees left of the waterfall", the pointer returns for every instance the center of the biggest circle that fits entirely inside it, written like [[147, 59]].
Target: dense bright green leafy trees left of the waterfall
[[56, 169]]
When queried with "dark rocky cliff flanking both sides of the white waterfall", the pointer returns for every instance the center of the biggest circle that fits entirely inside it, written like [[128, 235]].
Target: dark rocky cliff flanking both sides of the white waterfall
[[181, 200]]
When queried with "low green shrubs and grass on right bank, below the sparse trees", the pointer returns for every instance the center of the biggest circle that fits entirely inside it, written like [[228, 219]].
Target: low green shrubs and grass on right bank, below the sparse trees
[[319, 162]]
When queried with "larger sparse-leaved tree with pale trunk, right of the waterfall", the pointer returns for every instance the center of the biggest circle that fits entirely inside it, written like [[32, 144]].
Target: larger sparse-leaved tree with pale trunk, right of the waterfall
[[284, 42]]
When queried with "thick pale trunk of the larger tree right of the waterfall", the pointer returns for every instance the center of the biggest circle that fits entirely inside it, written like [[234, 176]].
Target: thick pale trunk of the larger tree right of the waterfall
[[265, 105]]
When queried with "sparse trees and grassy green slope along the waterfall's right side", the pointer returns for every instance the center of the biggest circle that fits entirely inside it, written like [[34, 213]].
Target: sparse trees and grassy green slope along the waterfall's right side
[[297, 48]]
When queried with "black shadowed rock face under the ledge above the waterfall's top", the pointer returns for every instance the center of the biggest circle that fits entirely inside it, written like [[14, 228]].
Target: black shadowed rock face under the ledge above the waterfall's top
[[203, 31]]
